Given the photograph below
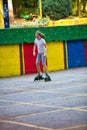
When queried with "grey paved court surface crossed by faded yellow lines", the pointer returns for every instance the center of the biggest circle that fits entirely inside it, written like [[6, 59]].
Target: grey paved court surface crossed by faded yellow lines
[[57, 105]]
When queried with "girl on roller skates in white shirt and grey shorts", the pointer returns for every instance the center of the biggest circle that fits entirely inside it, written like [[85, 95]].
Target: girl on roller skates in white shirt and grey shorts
[[40, 43]]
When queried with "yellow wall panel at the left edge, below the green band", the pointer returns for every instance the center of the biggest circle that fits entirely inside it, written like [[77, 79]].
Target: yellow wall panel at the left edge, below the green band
[[9, 60]]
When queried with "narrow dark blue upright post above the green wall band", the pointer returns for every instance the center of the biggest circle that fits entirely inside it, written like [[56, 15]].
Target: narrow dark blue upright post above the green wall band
[[6, 14]]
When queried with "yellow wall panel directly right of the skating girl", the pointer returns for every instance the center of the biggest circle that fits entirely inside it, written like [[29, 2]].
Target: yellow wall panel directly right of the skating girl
[[55, 56]]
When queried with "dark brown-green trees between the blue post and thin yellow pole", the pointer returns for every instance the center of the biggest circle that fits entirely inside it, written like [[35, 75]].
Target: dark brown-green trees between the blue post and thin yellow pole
[[24, 7]]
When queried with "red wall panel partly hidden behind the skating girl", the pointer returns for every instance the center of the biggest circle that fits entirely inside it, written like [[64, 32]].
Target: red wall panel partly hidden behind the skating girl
[[29, 59]]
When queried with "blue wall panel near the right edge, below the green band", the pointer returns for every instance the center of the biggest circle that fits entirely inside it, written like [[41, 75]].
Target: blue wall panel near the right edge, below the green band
[[76, 54]]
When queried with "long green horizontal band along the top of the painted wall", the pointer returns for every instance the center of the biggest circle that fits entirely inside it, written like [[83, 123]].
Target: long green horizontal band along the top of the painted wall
[[59, 33]]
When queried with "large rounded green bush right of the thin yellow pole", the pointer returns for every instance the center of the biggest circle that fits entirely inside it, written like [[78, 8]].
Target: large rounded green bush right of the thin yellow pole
[[57, 9]]
